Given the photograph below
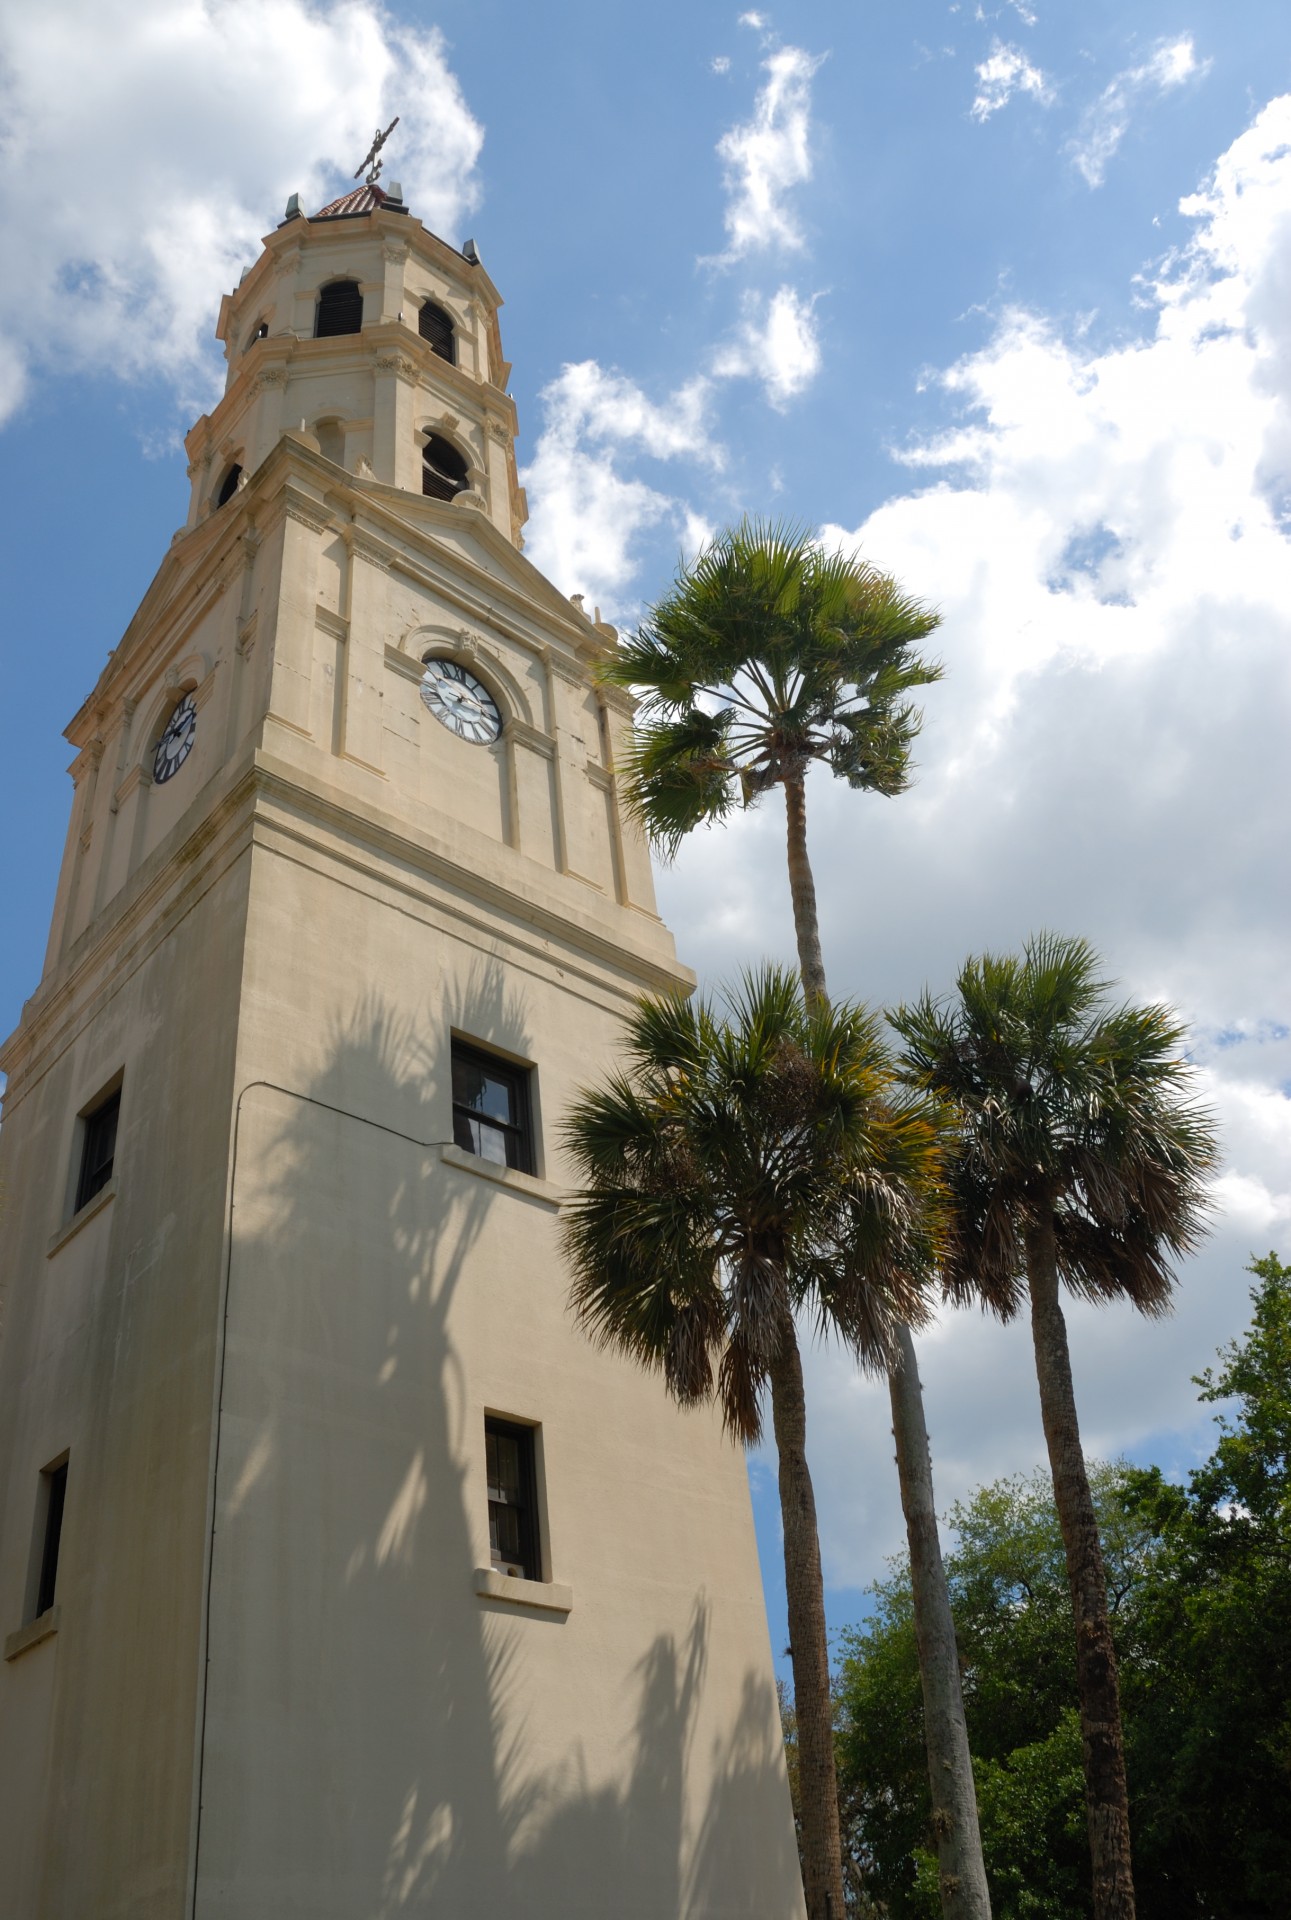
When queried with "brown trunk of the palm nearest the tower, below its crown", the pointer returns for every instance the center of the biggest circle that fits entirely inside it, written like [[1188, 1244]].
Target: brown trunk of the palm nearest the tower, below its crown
[[823, 1854]]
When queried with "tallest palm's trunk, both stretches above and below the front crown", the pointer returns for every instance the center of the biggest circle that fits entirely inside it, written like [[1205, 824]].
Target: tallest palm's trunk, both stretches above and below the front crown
[[946, 1737]]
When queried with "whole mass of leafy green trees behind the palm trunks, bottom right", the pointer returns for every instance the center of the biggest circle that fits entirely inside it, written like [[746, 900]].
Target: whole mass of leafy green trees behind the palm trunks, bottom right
[[1200, 1596]]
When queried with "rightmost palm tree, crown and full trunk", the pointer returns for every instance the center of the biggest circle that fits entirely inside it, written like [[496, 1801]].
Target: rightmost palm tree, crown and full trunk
[[1081, 1163]]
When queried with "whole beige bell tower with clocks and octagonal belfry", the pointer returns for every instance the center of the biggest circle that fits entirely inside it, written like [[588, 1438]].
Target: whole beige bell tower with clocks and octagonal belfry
[[339, 1573]]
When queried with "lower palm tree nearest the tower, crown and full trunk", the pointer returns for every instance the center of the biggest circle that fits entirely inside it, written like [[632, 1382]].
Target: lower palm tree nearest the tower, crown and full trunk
[[739, 1170]]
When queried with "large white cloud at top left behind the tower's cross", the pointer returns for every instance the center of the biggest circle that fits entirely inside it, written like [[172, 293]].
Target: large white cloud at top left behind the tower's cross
[[212, 116]]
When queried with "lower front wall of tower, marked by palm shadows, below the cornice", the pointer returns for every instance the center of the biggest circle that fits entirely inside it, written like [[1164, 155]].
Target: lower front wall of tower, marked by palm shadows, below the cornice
[[381, 1737]]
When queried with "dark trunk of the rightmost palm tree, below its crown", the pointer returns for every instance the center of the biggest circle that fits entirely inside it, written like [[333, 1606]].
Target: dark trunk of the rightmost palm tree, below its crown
[[1108, 1802]]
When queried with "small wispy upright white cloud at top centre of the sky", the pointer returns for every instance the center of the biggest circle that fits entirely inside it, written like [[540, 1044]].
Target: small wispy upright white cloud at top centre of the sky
[[767, 156]]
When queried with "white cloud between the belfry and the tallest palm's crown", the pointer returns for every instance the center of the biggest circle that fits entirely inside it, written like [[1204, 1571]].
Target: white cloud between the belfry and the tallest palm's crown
[[589, 516]]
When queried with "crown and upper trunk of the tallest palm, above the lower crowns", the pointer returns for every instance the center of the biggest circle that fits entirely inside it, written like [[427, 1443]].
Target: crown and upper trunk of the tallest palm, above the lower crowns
[[769, 656]]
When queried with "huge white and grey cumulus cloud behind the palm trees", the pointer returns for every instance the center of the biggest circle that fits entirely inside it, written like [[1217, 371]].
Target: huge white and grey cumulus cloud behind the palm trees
[[1108, 535]]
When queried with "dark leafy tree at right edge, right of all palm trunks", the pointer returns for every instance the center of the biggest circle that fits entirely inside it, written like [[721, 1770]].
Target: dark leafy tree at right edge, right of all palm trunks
[[1209, 1717]]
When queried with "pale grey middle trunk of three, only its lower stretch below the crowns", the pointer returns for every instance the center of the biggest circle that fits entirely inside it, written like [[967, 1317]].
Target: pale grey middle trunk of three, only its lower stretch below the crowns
[[962, 1869]]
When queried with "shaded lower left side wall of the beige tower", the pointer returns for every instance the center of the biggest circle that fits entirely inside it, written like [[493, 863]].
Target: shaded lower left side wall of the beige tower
[[109, 1353]]
